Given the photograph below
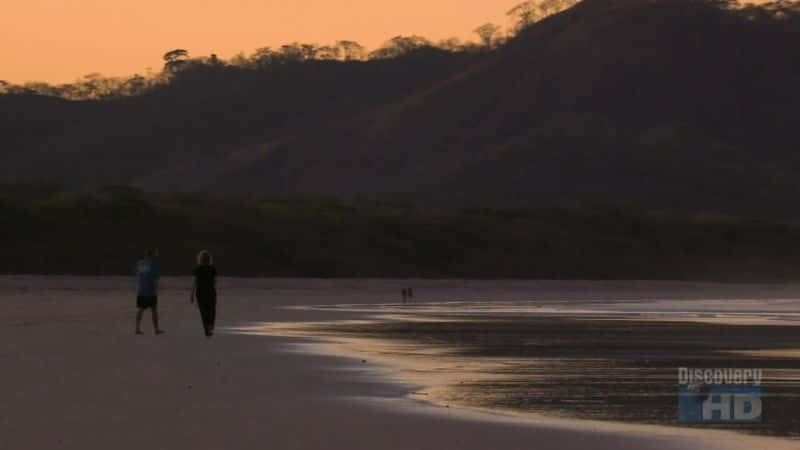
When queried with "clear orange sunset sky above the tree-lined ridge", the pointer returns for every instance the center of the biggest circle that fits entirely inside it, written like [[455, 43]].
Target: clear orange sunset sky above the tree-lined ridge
[[61, 40]]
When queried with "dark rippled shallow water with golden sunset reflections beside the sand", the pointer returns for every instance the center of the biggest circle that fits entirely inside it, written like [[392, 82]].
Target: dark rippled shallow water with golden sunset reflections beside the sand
[[597, 360]]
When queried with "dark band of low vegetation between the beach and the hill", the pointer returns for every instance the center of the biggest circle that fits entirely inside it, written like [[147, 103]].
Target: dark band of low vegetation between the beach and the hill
[[54, 231]]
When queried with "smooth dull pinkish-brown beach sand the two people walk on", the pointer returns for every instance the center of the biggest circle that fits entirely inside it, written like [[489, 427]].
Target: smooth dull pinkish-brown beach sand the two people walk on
[[74, 376]]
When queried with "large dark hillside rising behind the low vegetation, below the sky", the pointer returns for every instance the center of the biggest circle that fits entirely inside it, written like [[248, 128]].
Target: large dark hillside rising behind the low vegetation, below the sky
[[667, 103]]
